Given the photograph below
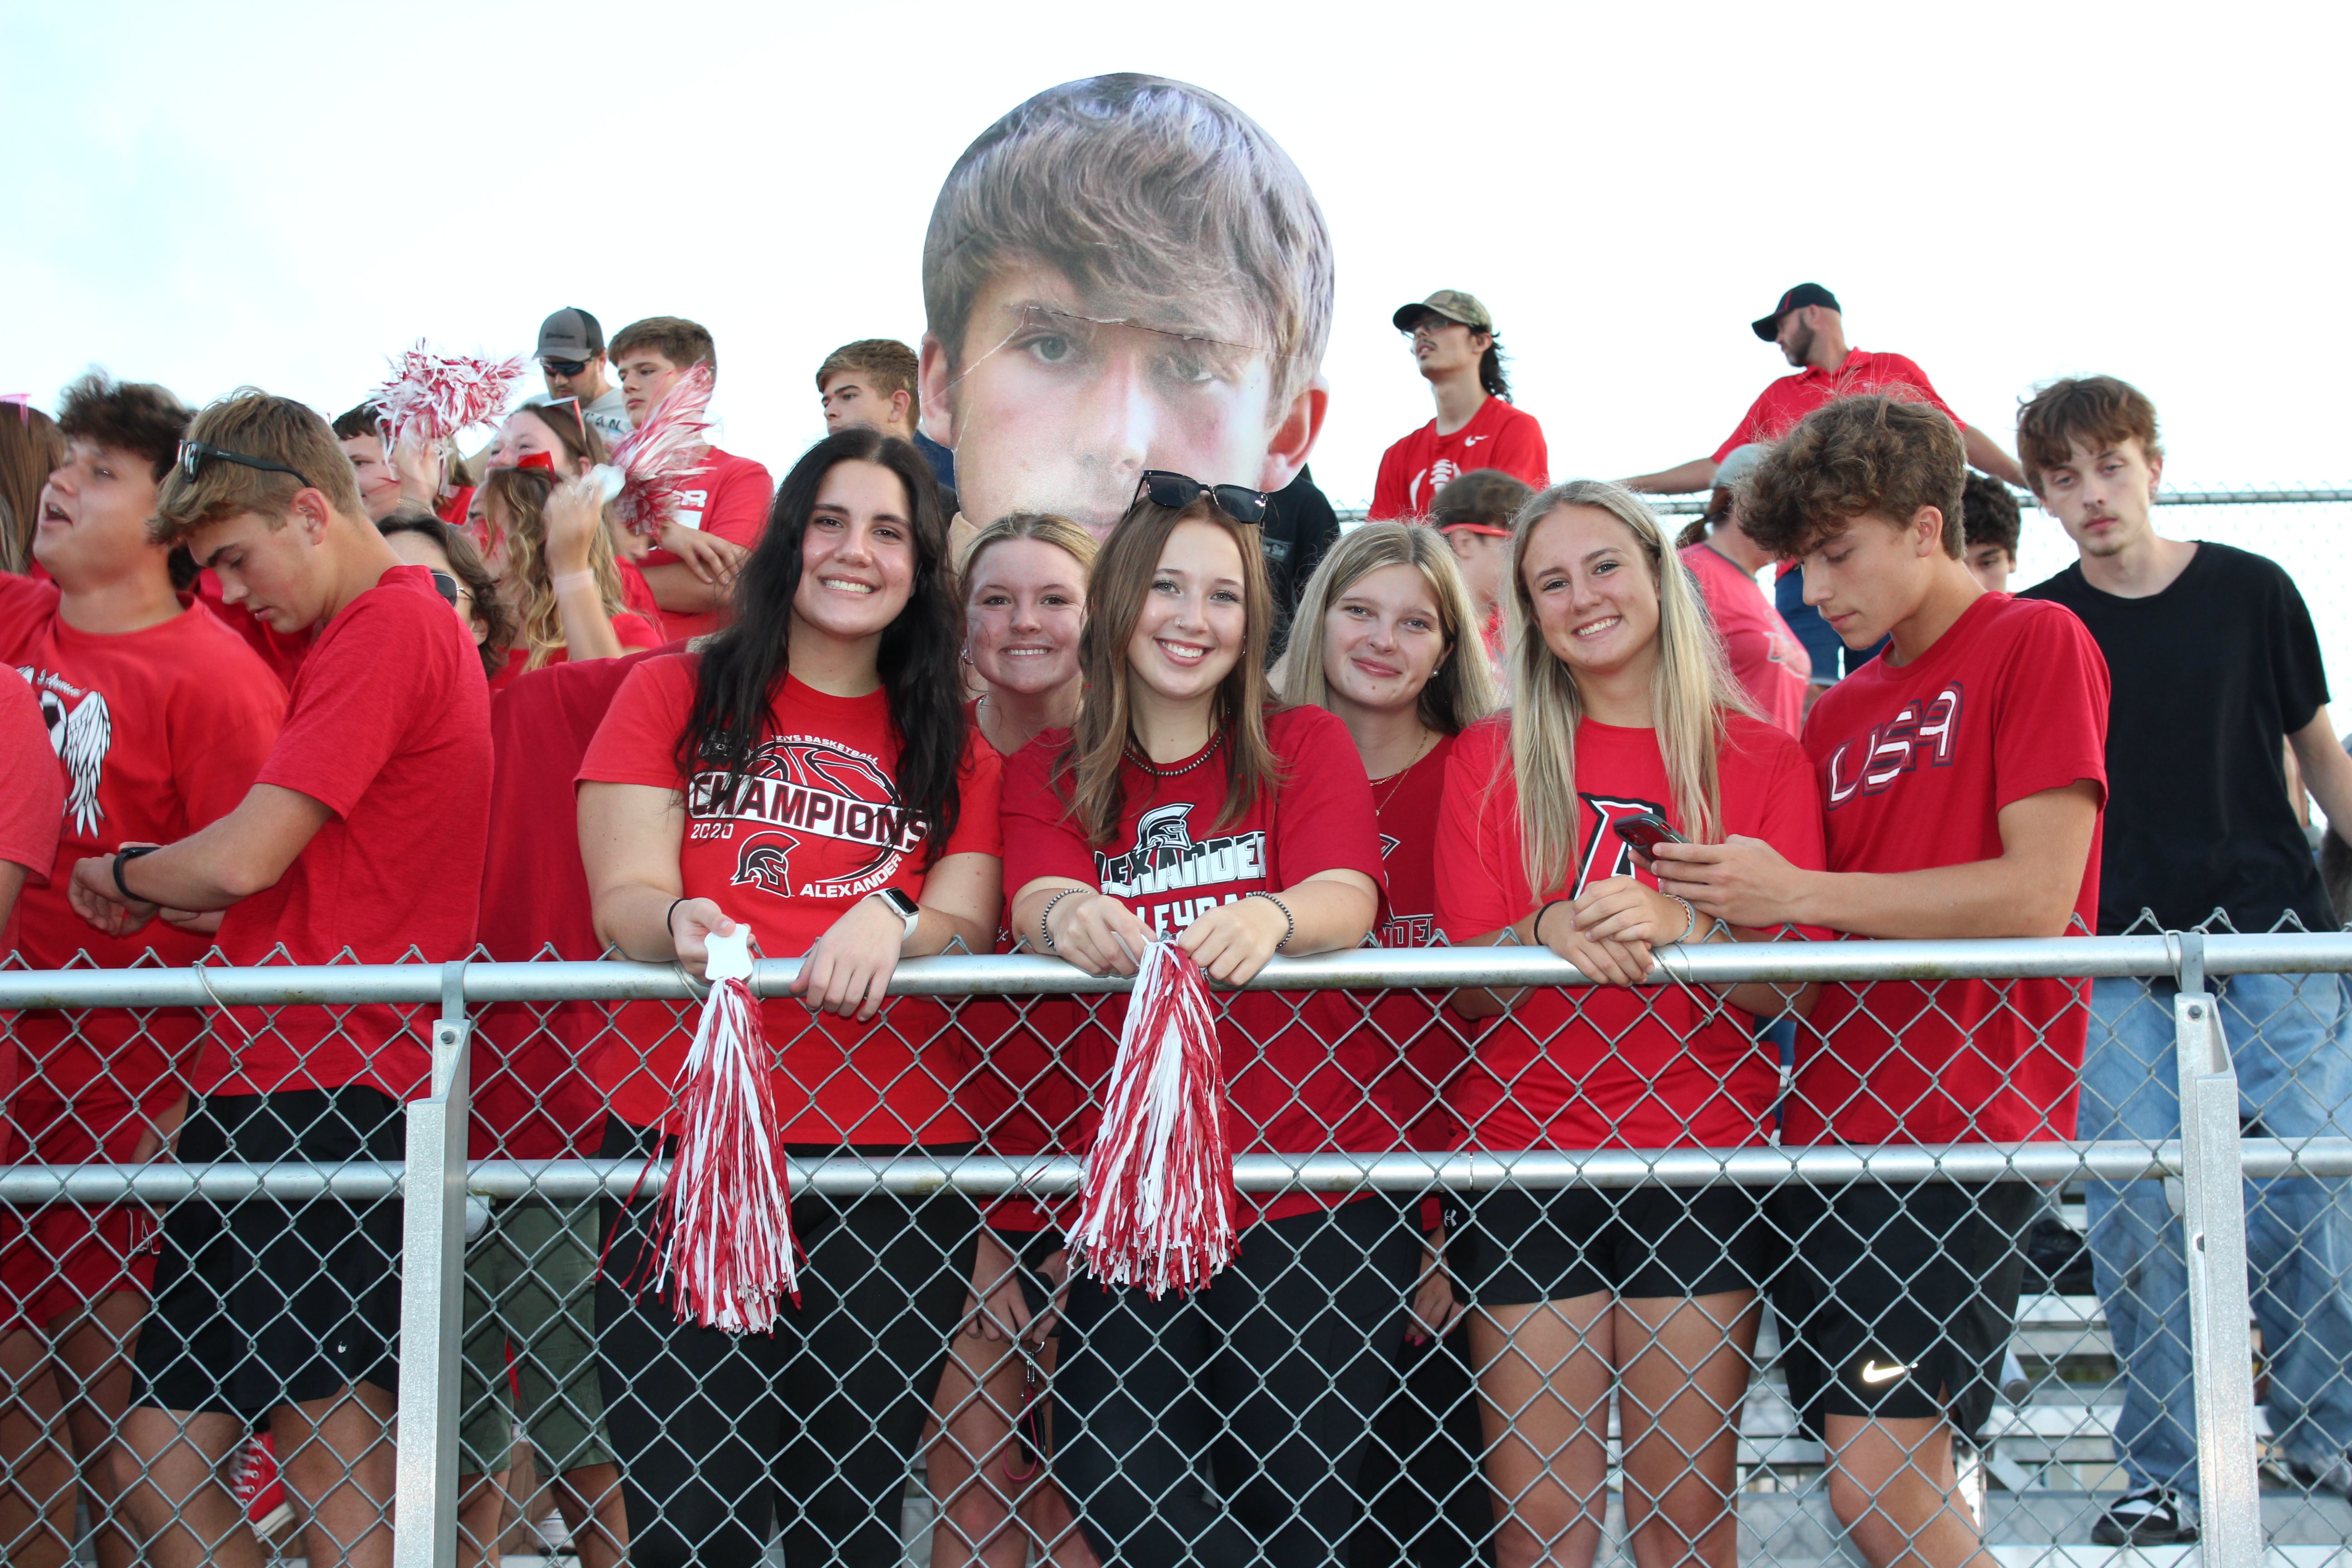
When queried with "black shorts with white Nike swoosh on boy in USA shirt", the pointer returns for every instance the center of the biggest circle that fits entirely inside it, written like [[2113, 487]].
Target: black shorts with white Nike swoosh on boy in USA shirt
[[1899, 1301]]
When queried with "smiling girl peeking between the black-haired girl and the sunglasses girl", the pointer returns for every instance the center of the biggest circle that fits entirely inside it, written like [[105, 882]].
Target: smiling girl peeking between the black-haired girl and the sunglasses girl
[[1024, 589]]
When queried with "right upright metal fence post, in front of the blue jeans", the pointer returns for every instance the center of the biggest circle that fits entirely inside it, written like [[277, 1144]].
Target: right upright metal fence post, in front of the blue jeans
[[2214, 1233]]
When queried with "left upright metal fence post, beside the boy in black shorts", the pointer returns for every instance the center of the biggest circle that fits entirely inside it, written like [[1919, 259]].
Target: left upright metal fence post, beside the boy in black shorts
[[434, 1296]]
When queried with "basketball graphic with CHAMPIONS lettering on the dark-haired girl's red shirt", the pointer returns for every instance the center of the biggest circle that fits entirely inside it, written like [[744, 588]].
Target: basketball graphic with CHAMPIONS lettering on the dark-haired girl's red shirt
[[822, 819]]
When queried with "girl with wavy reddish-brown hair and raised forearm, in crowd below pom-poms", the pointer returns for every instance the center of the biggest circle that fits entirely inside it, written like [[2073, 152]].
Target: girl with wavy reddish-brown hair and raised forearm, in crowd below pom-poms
[[556, 570]]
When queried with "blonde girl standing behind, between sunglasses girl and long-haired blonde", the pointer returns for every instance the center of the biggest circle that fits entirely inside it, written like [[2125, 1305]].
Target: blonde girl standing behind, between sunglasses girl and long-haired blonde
[[1389, 641]]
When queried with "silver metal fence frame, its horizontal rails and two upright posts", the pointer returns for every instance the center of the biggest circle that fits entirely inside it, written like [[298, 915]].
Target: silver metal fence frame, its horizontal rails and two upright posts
[[2210, 1160]]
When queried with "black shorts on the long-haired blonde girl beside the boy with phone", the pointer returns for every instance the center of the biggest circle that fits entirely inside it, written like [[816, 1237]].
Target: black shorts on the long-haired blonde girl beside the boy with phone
[[1643, 1242]]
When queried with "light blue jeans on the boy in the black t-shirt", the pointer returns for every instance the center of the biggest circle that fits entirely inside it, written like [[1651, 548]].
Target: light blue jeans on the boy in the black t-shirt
[[2287, 1040]]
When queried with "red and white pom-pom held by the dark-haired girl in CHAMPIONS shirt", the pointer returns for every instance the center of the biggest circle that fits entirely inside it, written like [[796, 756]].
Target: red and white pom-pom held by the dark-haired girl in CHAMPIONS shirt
[[726, 1221]]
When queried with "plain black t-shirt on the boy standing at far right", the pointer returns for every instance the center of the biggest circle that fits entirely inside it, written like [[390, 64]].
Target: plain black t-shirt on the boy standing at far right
[[2210, 681]]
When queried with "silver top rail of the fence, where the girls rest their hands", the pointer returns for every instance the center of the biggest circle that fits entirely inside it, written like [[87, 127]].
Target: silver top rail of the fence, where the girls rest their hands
[[1041, 977]]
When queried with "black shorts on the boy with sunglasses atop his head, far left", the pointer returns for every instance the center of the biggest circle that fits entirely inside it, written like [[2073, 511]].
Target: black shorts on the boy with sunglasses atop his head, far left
[[265, 1304]]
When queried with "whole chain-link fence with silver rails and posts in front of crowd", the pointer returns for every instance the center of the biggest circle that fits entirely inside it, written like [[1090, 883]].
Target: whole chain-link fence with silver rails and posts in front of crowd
[[1448, 1336]]
